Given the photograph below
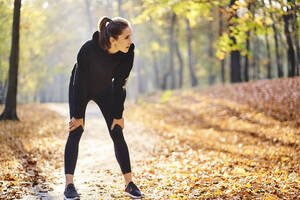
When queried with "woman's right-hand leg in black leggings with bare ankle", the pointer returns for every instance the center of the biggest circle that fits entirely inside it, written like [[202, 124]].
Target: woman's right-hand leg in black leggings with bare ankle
[[120, 147]]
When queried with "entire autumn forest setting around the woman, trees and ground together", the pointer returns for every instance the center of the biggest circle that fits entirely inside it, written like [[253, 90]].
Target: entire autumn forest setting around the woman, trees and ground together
[[213, 101]]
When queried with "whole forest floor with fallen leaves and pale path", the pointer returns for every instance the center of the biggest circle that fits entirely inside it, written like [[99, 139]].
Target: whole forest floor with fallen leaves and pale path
[[223, 142]]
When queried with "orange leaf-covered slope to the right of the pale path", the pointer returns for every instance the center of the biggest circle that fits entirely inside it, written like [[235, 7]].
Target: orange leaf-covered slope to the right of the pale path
[[235, 142]]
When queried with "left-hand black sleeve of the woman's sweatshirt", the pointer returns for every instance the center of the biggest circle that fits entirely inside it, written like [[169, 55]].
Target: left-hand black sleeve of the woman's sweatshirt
[[80, 84]]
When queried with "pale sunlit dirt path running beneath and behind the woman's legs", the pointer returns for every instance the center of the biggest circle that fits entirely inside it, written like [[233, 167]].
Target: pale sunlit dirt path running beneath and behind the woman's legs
[[97, 173]]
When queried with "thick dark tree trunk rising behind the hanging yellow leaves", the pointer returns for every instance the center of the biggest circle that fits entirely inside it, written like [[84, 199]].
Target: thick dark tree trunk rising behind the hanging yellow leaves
[[235, 65]]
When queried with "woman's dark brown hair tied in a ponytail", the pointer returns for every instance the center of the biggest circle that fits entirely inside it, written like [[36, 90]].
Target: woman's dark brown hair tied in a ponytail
[[110, 28]]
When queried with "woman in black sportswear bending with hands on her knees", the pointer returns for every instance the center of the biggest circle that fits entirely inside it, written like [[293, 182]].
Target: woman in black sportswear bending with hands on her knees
[[100, 74]]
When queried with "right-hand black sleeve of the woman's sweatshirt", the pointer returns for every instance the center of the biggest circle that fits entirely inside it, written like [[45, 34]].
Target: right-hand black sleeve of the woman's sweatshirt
[[120, 77]]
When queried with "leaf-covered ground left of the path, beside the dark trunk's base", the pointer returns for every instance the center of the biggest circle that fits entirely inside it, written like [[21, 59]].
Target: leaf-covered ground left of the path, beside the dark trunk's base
[[28, 150]]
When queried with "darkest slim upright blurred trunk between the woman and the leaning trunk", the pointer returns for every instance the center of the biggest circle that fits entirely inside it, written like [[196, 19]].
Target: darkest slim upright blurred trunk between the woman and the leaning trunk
[[171, 50]]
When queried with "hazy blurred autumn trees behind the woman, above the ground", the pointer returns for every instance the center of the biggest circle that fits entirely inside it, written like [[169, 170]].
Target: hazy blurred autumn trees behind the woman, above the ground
[[179, 44]]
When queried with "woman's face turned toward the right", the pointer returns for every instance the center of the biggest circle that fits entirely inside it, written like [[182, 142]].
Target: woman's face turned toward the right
[[124, 40]]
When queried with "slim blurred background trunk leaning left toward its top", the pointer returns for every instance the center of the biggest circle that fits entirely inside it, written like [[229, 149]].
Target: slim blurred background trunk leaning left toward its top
[[193, 78]]
